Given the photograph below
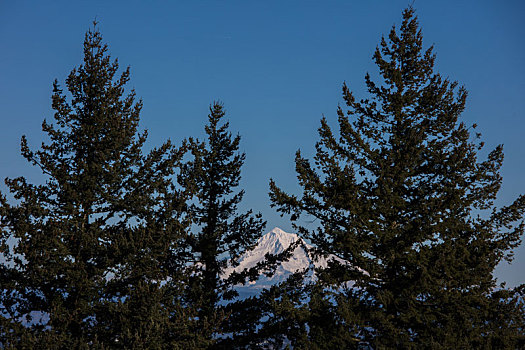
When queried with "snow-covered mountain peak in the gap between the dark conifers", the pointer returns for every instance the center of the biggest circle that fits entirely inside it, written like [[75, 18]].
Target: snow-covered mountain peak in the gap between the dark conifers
[[275, 242]]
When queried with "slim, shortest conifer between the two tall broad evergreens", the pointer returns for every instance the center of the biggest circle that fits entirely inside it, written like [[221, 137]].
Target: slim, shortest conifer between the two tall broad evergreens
[[220, 233]]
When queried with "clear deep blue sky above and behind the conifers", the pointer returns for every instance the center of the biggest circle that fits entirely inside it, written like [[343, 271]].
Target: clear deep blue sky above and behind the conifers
[[277, 66]]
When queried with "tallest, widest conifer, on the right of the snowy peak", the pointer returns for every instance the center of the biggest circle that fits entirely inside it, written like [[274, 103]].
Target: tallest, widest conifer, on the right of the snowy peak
[[401, 196]]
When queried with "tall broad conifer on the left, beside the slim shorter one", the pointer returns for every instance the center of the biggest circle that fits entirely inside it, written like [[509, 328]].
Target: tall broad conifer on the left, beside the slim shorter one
[[96, 243]]
